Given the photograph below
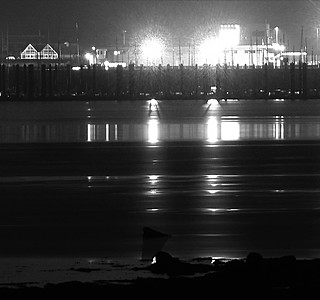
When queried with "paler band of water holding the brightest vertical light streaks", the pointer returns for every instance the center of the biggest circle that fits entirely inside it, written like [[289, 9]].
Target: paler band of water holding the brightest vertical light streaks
[[153, 131]]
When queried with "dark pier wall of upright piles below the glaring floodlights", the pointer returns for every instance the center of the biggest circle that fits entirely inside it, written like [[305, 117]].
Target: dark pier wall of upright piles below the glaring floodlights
[[55, 82]]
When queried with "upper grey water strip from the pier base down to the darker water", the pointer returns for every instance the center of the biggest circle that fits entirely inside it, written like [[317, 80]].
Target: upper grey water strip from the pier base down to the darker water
[[138, 121]]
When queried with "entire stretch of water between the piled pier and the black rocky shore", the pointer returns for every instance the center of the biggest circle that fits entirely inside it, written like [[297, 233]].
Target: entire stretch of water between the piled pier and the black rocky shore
[[223, 179]]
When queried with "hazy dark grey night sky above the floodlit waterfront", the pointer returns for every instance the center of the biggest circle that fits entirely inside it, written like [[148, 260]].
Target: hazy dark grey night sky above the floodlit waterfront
[[102, 21]]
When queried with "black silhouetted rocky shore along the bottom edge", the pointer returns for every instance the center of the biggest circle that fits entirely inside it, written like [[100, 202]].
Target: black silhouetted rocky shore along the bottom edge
[[254, 277]]
